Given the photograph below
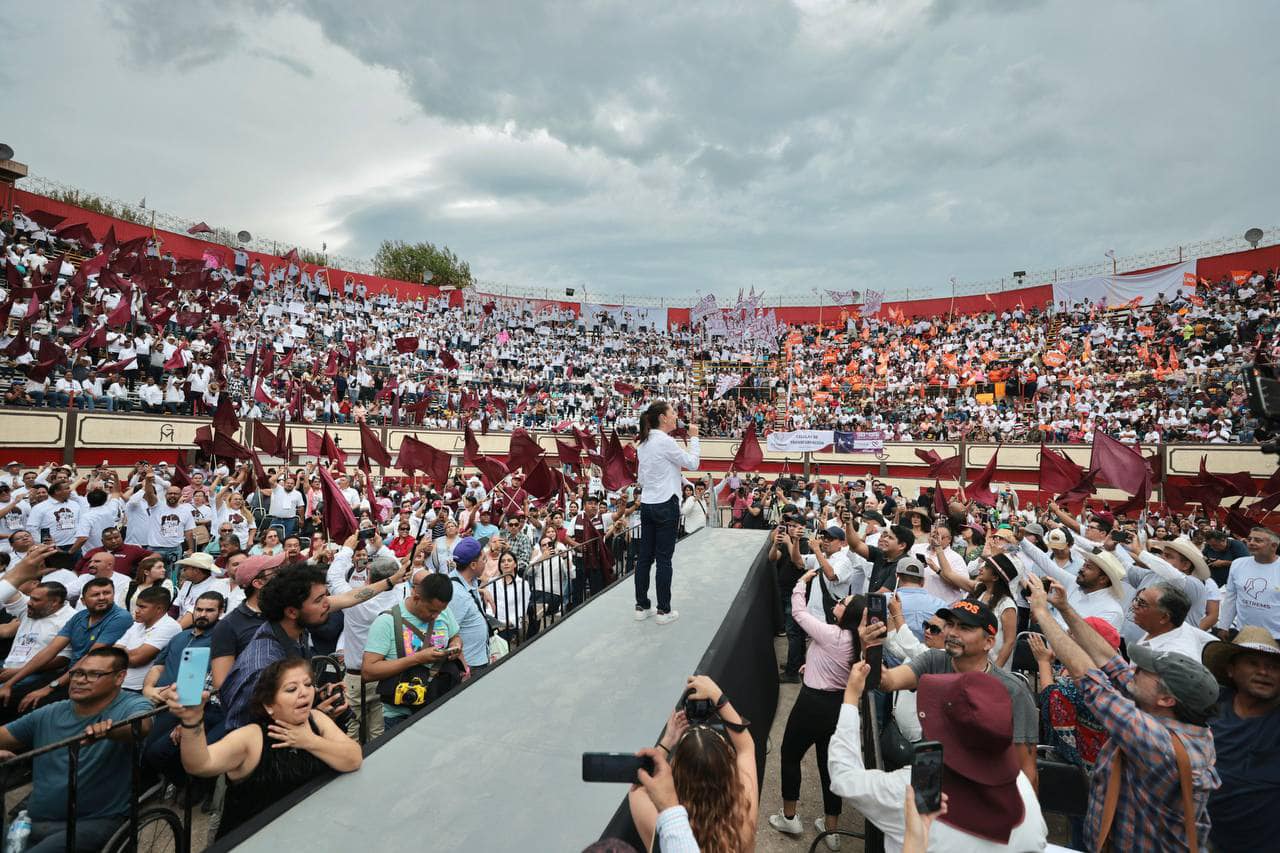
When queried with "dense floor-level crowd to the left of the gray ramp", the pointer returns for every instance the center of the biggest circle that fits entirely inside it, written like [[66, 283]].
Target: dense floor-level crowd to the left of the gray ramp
[[316, 644]]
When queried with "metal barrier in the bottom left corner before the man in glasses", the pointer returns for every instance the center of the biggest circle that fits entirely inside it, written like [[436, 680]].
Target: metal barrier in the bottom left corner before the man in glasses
[[152, 829]]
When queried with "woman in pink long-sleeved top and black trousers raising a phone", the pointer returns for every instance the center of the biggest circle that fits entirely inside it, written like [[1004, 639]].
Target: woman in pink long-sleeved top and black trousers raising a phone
[[833, 650]]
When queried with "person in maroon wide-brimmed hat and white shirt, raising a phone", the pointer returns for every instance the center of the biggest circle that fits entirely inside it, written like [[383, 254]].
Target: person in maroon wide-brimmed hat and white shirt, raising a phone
[[991, 804]]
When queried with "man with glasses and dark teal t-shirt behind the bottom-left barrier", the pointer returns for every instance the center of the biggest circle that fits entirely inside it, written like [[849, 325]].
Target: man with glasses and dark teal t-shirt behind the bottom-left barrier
[[102, 781]]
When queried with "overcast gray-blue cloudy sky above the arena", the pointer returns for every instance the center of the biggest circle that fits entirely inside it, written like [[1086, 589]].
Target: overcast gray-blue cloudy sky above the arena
[[669, 148]]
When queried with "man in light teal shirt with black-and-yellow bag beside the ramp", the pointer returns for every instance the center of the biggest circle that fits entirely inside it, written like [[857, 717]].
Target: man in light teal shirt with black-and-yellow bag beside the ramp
[[428, 637]]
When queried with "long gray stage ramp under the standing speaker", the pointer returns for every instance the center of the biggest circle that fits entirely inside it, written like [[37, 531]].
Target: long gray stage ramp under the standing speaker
[[499, 768]]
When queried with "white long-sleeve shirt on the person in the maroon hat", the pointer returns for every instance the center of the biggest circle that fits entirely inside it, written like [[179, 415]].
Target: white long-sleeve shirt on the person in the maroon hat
[[880, 795]]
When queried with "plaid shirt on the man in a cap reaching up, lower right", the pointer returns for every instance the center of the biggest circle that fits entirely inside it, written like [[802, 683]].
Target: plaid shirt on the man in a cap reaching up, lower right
[[1150, 810]]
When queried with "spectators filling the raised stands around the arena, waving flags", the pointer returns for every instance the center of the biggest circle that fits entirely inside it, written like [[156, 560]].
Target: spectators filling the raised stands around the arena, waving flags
[[286, 341]]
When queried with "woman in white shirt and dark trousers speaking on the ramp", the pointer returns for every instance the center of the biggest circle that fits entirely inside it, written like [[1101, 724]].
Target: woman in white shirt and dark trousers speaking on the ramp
[[660, 463]]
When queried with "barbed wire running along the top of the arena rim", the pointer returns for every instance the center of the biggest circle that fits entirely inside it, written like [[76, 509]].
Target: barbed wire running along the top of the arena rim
[[42, 185]]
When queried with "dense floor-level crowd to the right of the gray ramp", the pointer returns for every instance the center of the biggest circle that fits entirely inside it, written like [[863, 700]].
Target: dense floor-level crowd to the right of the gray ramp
[[1141, 656]]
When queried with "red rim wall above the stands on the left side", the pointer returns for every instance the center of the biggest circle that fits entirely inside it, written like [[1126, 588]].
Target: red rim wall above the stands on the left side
[[189, 247]]
